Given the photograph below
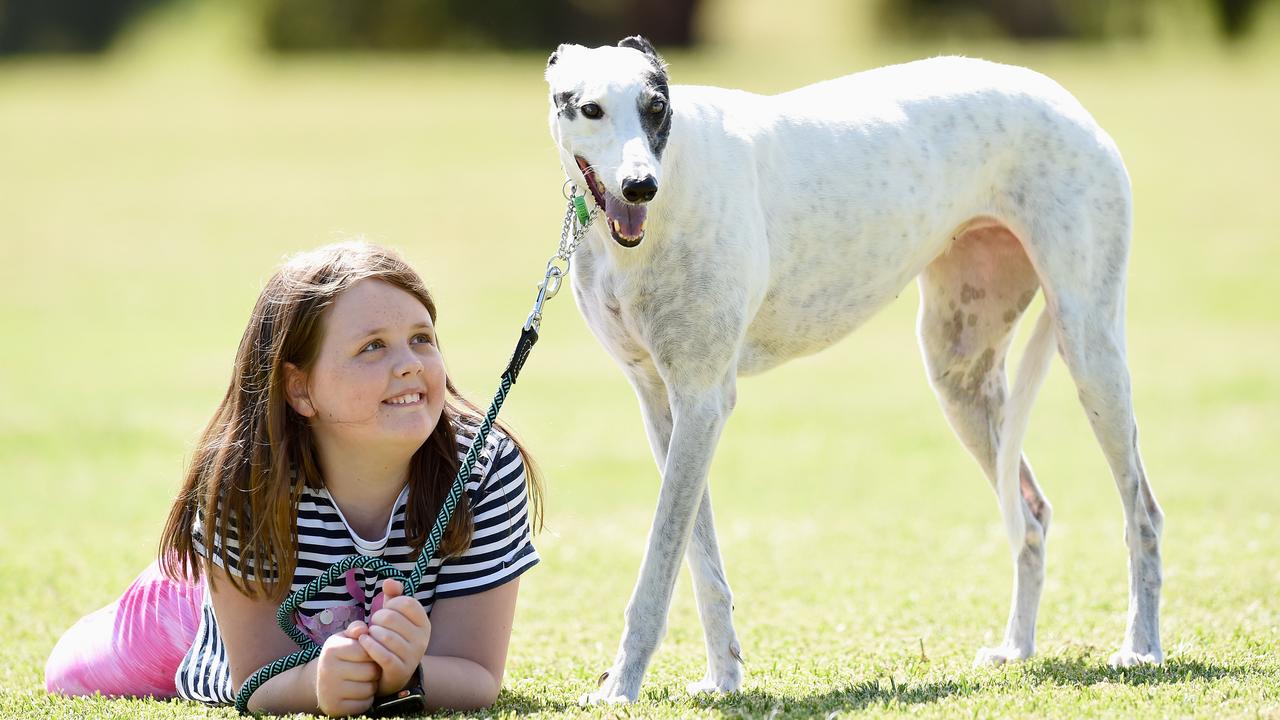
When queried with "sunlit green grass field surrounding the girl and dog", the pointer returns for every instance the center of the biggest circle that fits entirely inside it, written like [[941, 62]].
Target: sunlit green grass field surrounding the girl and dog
[[141, 207]]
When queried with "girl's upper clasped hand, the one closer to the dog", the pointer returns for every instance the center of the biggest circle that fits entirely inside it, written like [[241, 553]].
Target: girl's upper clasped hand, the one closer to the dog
[[397, 639]]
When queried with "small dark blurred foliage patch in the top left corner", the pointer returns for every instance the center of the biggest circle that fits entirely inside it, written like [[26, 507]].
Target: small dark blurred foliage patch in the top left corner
[[63, 26]]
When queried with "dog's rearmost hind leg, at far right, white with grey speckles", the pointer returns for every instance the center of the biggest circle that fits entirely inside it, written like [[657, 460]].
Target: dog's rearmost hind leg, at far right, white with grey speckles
[[1085, 285]]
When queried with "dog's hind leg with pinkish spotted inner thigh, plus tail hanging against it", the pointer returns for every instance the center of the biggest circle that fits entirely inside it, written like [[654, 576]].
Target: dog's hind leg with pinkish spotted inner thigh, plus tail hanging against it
[[971, 302]]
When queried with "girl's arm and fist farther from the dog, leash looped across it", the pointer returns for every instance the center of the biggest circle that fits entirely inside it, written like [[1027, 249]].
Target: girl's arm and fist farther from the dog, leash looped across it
[[341, 682]]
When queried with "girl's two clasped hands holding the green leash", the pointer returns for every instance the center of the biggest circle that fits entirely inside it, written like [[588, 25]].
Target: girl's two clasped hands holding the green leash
[[367, 662]]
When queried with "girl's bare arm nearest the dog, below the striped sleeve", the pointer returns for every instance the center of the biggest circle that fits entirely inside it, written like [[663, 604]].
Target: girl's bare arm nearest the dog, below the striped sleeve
[[468, 653]]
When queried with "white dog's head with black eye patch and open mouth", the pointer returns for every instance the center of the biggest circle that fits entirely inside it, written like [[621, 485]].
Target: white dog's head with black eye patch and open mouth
[[611, 117]]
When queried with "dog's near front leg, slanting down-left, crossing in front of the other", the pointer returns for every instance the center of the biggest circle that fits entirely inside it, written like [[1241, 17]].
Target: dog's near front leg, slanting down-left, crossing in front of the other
[[700, 418]]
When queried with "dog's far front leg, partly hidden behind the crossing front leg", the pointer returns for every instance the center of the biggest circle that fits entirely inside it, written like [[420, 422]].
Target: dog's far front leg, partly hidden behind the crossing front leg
[[711, 585]]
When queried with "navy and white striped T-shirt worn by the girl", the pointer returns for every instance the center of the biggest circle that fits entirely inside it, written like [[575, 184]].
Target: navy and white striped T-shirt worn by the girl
[[501, 550]]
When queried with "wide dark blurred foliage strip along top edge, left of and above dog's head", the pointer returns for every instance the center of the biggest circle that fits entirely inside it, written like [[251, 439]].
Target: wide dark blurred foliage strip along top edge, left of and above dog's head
[[414, 25]]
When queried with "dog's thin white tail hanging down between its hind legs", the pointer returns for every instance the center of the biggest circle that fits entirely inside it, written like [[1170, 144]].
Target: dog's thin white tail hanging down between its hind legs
[[1018, 409]]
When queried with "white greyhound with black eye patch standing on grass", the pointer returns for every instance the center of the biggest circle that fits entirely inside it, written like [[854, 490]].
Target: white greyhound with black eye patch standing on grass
[[740, 231]]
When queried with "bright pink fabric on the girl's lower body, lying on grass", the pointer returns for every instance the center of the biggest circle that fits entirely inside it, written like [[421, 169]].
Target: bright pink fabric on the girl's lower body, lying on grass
[[134, 646]]
